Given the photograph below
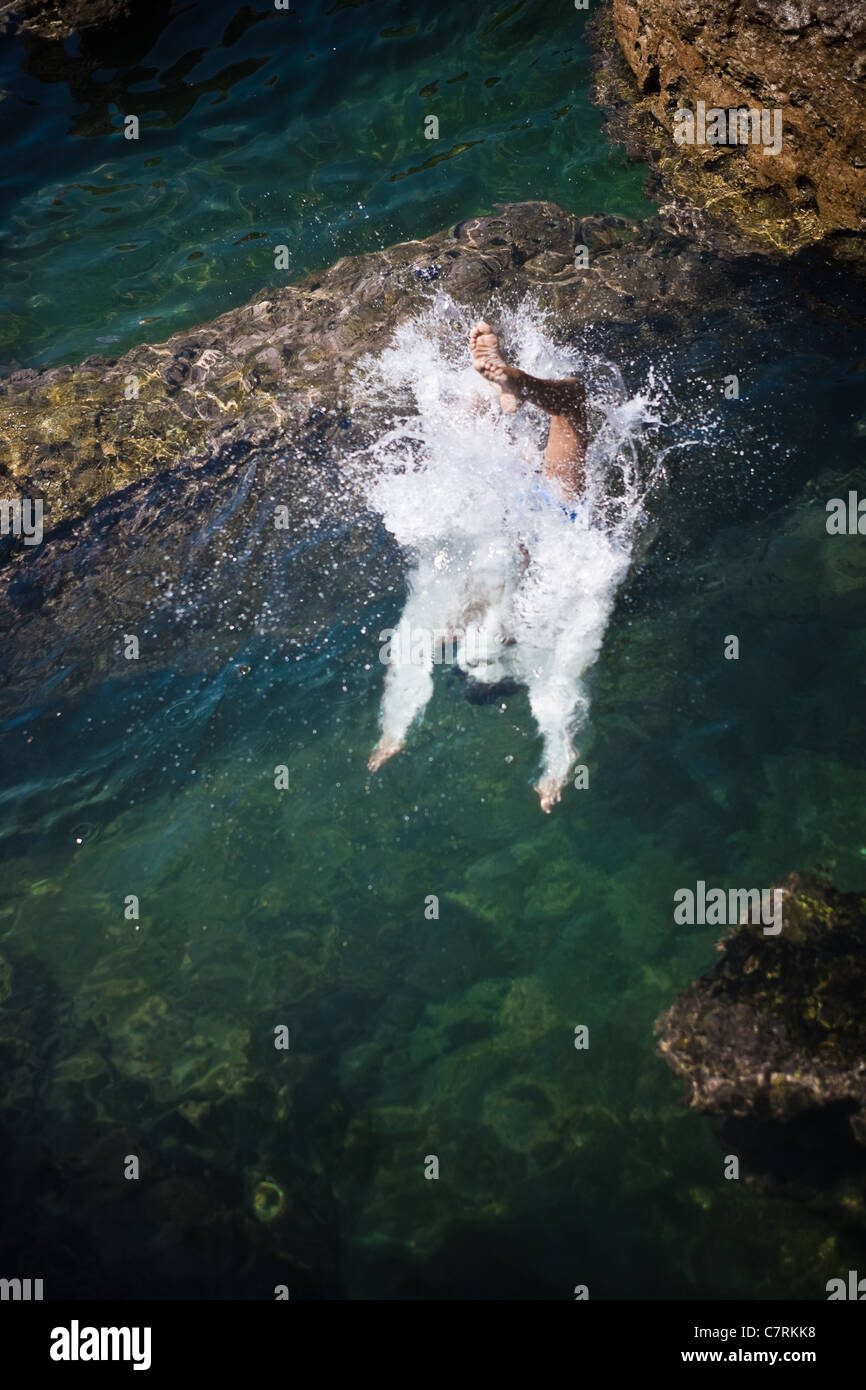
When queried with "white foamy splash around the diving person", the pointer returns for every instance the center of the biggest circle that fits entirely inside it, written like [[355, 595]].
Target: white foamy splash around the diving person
[[458, 484]]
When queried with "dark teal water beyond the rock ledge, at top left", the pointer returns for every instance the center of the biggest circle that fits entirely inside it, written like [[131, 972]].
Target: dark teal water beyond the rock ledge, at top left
[[262, 129]]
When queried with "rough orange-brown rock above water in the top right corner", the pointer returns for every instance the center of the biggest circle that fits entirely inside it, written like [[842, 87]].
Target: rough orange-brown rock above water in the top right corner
[[804, 59]]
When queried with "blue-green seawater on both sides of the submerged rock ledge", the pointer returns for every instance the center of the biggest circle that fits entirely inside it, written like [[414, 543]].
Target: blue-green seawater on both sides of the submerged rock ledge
[[307, 907]]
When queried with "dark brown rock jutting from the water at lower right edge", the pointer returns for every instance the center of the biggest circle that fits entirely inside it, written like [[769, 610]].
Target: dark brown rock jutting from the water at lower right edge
[[775, 1035]]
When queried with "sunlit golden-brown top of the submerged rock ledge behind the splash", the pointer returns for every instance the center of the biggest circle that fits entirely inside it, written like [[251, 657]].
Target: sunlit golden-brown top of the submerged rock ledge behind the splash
[[277, 368]]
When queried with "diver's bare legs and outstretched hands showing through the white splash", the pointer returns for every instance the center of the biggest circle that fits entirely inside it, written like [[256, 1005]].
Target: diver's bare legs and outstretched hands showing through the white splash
[[564, 465]]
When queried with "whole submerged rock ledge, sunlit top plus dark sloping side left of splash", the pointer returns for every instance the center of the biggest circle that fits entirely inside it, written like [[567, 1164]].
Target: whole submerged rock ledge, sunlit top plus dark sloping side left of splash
[[169, 491]]
